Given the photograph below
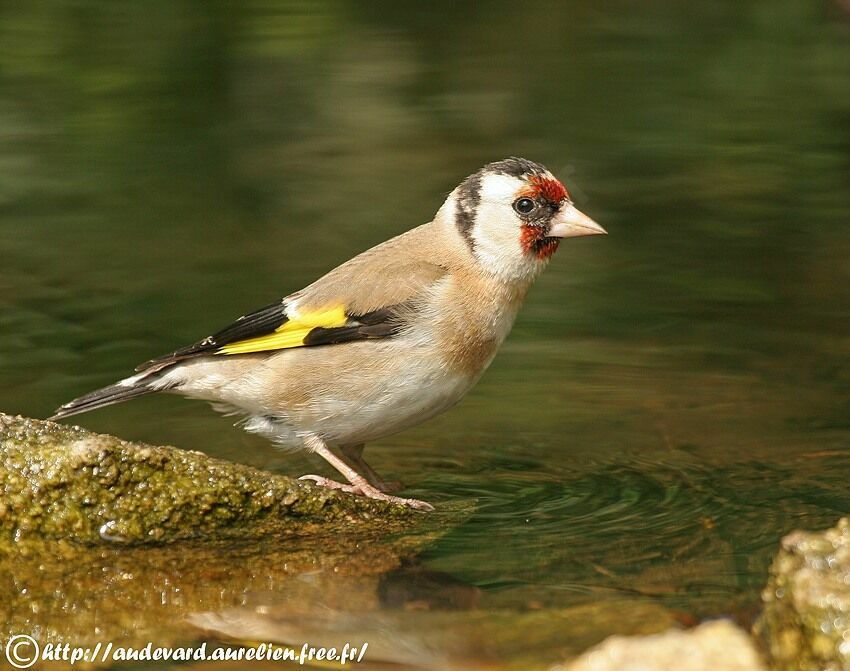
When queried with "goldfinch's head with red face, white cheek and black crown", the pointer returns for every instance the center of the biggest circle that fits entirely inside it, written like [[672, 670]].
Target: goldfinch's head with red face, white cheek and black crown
[[513, 214]]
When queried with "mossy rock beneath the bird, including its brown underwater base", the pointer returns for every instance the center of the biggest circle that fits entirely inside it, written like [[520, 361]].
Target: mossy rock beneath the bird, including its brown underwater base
[[106, 540]]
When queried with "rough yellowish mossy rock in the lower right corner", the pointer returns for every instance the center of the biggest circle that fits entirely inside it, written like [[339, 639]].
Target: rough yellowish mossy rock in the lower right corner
[[806, 618]]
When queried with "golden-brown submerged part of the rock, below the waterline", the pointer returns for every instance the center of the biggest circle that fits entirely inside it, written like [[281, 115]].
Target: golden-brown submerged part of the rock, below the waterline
[[67, 593]]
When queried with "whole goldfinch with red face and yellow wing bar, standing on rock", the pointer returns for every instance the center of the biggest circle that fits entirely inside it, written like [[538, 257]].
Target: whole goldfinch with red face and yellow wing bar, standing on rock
[[394, 336]]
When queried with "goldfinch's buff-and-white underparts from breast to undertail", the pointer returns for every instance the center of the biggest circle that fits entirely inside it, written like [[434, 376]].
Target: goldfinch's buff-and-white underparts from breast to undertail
[[356, 392]]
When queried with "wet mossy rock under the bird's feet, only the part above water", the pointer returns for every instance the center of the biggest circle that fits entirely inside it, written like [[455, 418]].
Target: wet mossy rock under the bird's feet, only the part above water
[[64, 482]]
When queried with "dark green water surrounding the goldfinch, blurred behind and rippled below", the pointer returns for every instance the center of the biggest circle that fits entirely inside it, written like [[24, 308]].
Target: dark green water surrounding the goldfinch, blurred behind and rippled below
[[674, 397]]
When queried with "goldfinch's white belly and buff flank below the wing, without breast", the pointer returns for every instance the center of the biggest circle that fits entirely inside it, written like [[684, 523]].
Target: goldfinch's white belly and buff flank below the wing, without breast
[[347, 395]]
